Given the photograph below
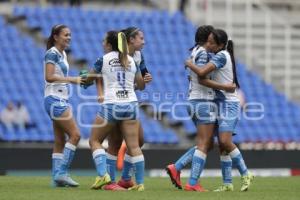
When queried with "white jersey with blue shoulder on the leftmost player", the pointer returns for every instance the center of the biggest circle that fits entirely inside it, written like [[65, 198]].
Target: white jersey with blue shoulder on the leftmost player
[[60, 62]]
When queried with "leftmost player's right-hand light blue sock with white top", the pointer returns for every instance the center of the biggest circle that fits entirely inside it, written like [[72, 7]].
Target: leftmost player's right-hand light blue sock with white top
[[69, 152]]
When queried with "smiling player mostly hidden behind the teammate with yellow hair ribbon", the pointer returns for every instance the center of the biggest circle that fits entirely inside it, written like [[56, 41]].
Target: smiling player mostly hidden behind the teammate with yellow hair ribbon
[[135, 40]]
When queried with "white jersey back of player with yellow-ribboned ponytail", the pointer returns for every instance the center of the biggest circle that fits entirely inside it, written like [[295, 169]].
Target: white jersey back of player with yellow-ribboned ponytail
[[118, 82]]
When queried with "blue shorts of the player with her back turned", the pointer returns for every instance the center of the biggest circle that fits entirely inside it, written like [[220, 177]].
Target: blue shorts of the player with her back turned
[[119, 112]]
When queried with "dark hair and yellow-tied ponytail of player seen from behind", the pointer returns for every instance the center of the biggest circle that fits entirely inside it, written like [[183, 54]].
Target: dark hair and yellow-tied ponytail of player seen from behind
[[114, 38]]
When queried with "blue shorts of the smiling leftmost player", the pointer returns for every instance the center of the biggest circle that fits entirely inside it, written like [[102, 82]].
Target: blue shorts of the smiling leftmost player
[[55, 106]]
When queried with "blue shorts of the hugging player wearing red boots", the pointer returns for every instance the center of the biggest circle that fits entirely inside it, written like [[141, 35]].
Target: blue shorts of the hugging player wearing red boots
[[202, 111]]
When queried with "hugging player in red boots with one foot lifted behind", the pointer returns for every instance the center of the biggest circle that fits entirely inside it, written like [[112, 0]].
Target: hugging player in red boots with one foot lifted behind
[[203, 112]]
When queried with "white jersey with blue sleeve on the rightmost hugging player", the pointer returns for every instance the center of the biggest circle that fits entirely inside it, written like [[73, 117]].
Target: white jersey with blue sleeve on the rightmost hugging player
[[224, 75]]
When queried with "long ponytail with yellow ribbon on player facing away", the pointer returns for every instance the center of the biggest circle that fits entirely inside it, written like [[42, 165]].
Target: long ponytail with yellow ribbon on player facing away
[[123, 49]]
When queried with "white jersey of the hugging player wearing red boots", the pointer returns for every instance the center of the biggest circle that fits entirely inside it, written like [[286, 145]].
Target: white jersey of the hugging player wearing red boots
[[196, 90]]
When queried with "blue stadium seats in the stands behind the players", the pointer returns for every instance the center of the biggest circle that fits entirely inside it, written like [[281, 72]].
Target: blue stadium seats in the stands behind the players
[[176, 34]]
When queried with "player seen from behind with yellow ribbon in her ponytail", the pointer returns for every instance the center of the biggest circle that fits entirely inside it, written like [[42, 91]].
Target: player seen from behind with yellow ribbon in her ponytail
[[120, 77]]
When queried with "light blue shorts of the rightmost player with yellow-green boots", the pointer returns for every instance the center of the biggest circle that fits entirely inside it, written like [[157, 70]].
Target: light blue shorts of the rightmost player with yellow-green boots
[[228, 115]]
